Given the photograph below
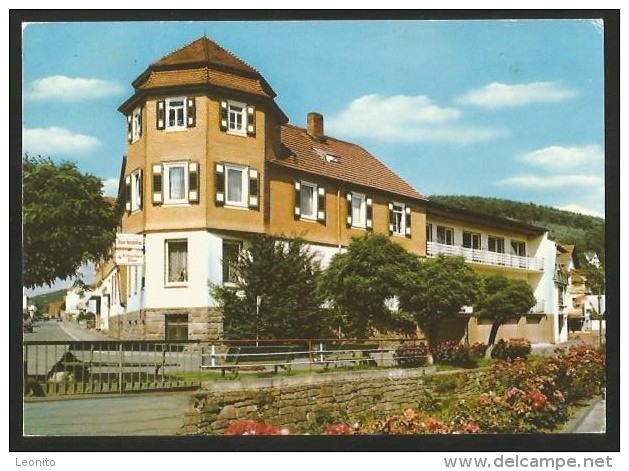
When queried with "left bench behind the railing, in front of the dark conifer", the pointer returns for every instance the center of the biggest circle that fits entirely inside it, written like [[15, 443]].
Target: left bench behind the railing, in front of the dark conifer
[[240, 357]]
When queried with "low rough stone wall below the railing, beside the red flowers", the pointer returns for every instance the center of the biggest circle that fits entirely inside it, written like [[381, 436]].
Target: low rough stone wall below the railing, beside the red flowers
[[300, 402]]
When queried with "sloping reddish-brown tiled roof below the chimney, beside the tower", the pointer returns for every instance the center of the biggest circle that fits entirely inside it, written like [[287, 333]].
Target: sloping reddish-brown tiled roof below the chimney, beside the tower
[[352, 163]]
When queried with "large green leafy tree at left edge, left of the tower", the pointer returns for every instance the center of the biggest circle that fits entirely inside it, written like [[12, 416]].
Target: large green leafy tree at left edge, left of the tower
[[65, 218]]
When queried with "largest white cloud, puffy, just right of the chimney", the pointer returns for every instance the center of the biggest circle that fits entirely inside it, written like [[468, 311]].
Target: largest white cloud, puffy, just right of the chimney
[[404, 118]]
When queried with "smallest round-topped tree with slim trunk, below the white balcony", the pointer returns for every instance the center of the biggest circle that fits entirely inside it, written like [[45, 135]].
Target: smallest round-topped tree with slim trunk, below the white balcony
[[503, 298]]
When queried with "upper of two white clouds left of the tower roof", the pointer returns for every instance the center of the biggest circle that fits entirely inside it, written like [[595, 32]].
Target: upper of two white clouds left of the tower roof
[[62, 88]]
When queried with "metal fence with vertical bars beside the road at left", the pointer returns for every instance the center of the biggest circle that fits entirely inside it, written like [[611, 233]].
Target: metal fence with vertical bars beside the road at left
[[92, 367]]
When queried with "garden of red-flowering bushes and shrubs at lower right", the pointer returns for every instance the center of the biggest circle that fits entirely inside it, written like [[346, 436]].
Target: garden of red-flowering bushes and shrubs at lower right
[[517, 393]]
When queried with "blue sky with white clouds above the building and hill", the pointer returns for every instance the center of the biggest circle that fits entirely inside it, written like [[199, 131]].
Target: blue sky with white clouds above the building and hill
[[499, 108]]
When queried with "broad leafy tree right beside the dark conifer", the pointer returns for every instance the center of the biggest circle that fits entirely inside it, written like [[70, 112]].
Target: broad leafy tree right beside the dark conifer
[[359, 282]]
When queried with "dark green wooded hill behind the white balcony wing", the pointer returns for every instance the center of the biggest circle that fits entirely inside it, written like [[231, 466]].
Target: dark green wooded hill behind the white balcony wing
[[587, 233]]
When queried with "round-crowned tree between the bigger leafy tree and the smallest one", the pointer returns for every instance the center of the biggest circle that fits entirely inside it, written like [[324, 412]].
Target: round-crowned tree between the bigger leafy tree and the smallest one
[[436, 291]]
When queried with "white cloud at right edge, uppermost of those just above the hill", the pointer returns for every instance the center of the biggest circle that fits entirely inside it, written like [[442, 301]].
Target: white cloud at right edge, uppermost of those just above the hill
[[557, 157]]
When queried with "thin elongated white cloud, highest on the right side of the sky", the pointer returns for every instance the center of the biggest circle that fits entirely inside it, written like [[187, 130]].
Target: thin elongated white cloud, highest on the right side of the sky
[[500, 95]]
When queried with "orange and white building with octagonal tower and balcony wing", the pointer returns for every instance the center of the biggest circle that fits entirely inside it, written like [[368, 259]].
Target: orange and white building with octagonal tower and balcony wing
[[212, 159]]
